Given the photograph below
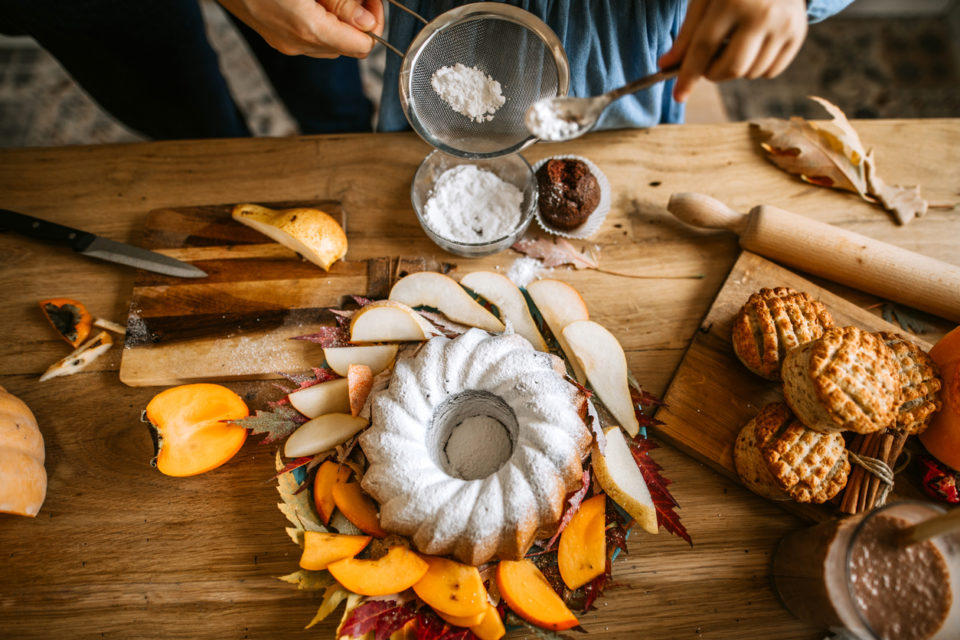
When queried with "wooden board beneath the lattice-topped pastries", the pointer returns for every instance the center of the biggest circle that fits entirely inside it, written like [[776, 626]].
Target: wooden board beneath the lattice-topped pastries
[[712, 395]]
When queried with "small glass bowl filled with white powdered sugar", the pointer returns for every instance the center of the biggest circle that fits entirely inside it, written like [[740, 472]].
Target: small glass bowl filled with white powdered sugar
[[474, 207]]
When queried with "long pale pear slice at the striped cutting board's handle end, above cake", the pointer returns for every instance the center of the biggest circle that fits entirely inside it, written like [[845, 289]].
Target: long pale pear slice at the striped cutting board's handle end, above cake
[[431, 289]]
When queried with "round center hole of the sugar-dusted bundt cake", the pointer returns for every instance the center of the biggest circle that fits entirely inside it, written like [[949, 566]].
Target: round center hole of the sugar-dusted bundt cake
[[473, 435]]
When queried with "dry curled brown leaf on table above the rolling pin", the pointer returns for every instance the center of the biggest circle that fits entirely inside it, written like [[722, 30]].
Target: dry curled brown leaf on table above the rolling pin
[[830, 154]]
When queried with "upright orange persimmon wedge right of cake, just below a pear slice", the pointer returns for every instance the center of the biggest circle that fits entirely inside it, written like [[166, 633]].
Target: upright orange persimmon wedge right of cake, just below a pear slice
[[582, 553]]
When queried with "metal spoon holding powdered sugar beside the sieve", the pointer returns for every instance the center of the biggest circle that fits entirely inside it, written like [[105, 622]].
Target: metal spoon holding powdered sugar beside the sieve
[[562, 119]]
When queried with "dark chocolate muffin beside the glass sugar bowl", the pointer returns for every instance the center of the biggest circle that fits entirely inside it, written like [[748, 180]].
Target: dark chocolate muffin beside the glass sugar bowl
[[568, 193]]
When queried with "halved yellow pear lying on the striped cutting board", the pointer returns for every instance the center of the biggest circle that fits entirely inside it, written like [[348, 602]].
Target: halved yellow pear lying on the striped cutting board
[[312, 233]]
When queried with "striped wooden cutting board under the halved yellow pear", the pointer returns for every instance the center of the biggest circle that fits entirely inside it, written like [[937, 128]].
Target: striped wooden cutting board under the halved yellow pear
[[237, 323]]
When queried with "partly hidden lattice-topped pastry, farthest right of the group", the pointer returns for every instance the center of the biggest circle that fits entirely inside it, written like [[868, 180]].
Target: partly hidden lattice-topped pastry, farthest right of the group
[[920, 384]]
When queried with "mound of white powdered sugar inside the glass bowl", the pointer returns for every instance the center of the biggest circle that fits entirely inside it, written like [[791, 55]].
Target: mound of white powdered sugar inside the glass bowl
[[470, 204]]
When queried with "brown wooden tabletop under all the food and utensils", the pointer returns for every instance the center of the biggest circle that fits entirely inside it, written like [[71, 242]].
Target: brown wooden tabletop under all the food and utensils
[[121, 551]]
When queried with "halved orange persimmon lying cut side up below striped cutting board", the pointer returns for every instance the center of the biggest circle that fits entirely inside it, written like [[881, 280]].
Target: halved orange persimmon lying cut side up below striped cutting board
[[193, 428]]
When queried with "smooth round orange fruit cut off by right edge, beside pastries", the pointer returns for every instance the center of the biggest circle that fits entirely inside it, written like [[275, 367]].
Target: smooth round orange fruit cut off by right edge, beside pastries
[[942, 437]]
